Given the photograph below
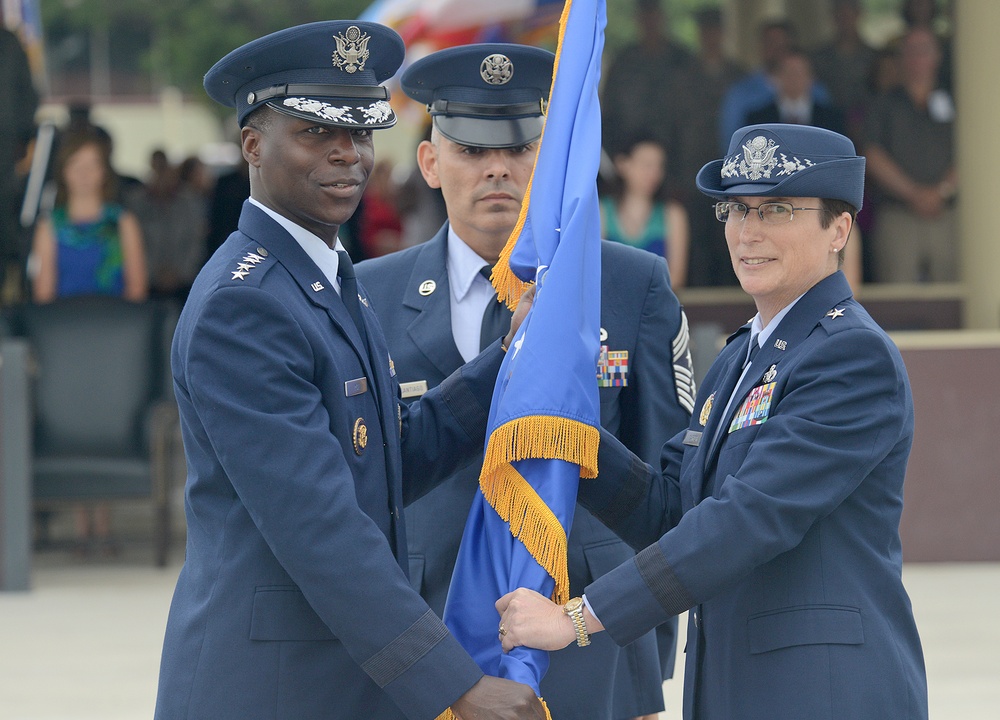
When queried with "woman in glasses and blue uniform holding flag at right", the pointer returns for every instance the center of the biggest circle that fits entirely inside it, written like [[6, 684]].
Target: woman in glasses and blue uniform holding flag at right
[[775, 519]]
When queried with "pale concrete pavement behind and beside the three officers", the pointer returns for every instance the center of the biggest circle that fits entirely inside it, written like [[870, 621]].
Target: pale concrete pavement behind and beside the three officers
[[84, 644]]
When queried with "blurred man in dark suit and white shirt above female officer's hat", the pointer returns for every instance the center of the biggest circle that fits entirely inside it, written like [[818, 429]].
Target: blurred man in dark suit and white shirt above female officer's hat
[[793, 101]]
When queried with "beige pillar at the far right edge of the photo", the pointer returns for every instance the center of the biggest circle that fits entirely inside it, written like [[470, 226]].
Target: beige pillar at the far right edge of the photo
[[977, 55]]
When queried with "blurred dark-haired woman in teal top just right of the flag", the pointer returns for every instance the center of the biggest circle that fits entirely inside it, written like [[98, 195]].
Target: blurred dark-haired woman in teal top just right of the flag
[[635, 214]]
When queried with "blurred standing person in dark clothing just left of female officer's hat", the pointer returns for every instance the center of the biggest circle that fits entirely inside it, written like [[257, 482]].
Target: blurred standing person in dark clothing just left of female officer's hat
[[707, 81]]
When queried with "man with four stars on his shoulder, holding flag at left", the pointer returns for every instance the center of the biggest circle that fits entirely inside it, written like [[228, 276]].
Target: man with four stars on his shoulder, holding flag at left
[[294, 602]]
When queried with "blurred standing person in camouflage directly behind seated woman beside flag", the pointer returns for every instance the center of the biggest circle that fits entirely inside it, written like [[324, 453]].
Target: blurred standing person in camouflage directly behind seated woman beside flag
[[644, 82]]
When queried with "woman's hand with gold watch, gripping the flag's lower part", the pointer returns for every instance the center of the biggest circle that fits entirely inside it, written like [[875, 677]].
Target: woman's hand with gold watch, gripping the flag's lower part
[[531, 619]]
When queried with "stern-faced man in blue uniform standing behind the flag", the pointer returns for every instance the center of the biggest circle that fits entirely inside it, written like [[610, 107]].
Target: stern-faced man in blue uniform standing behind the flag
[[438, 308]]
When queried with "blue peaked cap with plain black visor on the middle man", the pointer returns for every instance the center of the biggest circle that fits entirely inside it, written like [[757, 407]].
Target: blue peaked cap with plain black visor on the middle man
[[485, 95]]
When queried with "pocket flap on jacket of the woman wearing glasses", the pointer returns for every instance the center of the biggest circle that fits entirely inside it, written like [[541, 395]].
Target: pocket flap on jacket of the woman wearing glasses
[[811, 625]]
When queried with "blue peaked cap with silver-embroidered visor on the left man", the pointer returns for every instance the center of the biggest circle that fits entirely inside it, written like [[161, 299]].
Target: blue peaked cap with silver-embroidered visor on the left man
[[328, 72]]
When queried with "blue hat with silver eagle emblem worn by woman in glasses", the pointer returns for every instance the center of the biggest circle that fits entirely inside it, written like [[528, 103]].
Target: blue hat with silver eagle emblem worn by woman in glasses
[[779, 160]]
